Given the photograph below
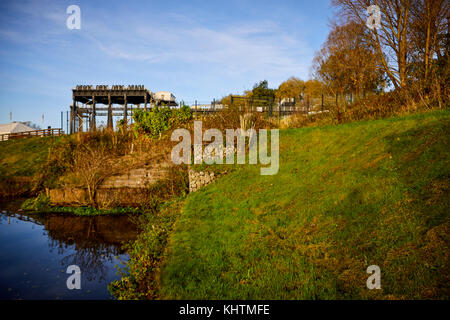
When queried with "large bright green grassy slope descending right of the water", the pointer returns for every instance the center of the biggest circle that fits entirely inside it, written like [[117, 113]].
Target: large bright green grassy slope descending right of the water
[[345, 197]]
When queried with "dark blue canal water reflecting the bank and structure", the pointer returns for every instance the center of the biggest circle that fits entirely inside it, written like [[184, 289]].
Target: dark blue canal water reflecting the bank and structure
[[37, 249]]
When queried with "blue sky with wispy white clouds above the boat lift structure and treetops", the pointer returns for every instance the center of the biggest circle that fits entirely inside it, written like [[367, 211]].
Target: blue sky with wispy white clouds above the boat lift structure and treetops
[[195, 49]]
